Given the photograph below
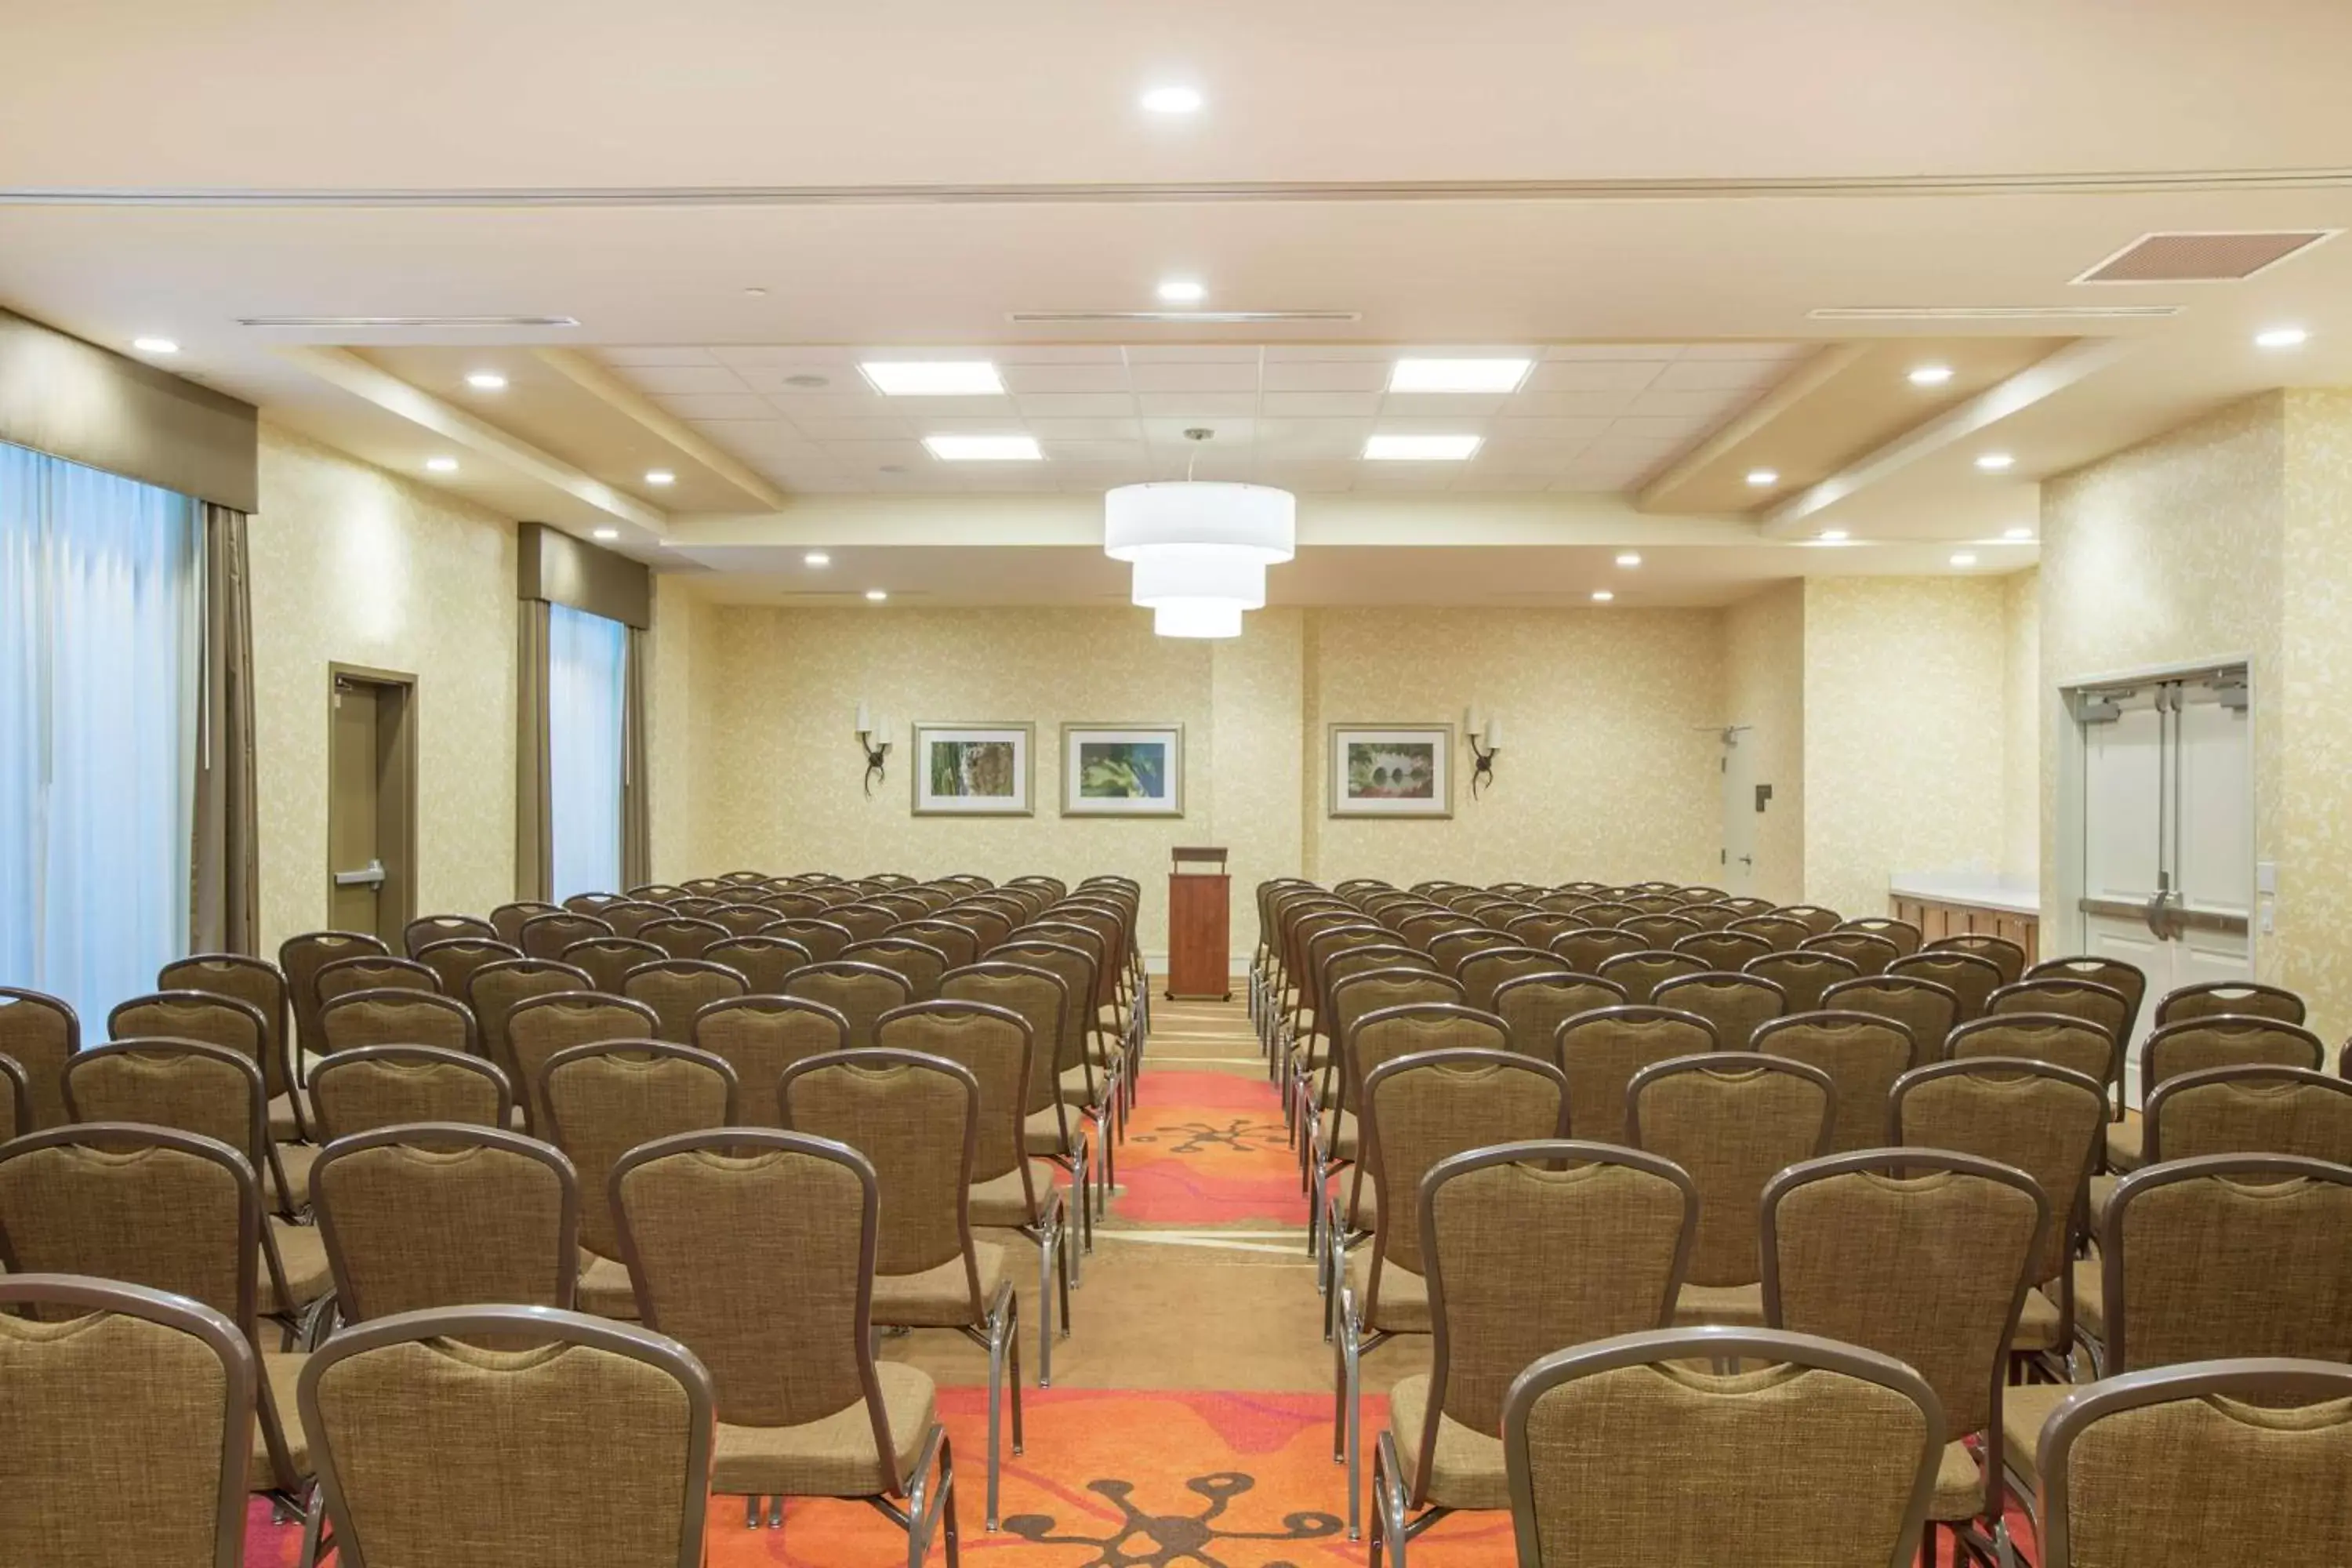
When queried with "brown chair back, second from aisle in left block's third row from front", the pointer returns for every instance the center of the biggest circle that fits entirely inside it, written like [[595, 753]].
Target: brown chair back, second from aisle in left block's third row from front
[[610, 1097]]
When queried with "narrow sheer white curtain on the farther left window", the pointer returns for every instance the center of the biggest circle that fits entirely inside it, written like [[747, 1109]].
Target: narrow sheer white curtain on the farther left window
[[587, 692]]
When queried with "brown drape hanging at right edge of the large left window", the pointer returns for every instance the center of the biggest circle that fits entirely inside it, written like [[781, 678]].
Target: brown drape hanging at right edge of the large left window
[[225, 897]]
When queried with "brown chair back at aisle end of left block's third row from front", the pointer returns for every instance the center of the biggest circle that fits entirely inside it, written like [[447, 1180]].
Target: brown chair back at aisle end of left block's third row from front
[[916, 1120]]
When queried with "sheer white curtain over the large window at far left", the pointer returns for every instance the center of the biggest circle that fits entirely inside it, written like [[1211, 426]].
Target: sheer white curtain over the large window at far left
[[100, 657]]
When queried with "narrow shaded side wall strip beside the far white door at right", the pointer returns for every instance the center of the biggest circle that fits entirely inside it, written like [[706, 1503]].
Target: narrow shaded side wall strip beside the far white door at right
[[1765, 683]]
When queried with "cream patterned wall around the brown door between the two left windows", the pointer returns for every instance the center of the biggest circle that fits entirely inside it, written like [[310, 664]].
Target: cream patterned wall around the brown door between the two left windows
[[356, 565]]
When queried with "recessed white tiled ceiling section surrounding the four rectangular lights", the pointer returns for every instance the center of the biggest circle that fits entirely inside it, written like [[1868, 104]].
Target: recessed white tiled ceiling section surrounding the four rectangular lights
[[1297, 415]]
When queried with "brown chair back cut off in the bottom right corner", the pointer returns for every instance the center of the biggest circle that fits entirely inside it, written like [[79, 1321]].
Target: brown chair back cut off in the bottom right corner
[[2269, 1447]]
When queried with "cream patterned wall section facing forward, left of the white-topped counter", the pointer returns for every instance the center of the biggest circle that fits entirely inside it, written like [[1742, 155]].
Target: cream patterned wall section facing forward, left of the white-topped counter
[[1904, 732]]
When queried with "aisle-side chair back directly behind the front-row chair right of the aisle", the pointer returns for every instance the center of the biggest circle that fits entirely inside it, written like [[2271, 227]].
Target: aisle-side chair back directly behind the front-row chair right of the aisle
[[1542, 1245]]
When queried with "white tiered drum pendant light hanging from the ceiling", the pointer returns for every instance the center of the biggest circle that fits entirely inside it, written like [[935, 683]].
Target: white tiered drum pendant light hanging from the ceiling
[[1201, 549]]
